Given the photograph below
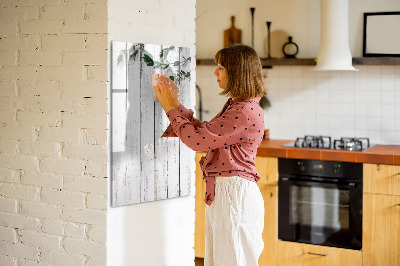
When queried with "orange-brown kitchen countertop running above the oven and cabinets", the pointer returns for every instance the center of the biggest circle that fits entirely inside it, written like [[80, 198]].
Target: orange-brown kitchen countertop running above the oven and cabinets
[[379, 154]]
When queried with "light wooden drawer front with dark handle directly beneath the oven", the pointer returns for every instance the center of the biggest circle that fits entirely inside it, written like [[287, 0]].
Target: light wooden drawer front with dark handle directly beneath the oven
[[297, 254]]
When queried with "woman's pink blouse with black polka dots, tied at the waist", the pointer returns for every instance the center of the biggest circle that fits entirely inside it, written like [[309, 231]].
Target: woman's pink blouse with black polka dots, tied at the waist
[[231, 139]]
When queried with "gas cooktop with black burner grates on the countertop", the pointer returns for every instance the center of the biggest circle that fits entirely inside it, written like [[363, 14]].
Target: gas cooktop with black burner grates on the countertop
[[325, 142]]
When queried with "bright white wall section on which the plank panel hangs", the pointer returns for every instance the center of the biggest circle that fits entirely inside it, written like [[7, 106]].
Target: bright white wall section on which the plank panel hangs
[[161, 232]]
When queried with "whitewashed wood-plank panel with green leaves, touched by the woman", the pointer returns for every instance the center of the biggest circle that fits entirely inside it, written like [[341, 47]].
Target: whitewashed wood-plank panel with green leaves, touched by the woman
[[144, 166]]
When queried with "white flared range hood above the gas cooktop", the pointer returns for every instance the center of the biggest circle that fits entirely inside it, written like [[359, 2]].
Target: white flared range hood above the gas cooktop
[[334, 51]]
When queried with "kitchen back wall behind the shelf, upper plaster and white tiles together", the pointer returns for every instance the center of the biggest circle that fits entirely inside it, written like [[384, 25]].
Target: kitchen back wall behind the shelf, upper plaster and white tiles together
[[338, 104]]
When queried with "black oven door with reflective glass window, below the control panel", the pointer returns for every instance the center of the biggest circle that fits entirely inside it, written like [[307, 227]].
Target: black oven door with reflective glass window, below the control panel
[[322, 213]]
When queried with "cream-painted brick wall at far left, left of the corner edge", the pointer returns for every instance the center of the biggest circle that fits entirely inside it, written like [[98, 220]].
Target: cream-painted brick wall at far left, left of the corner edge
[[53, 114]]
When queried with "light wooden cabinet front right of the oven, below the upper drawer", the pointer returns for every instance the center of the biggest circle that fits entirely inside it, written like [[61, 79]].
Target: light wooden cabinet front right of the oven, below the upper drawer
[[381, 230]]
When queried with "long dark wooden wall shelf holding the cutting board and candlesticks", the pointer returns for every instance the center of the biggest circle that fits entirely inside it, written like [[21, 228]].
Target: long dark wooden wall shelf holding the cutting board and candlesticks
[[312, 61]]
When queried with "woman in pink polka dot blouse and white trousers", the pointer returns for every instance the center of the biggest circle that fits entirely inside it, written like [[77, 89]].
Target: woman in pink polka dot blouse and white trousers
[[235, 207]]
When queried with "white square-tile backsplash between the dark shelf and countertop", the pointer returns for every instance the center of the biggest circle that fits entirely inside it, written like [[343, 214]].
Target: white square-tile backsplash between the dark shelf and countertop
[[364, 103]]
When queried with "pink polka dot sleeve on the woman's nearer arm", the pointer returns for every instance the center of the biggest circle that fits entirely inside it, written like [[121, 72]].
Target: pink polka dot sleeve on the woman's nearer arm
[[222, 131]]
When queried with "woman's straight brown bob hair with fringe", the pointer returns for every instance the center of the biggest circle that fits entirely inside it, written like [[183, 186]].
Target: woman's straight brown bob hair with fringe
[[245, 78]]
